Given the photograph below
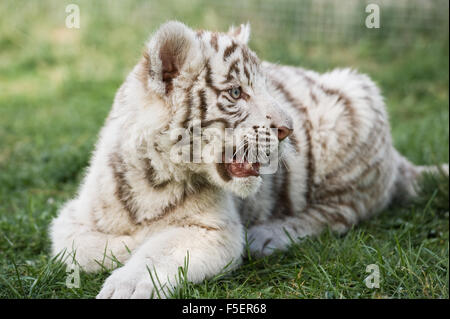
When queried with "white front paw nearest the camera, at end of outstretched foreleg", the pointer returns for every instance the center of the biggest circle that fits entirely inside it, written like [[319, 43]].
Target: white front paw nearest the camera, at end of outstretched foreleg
[[131, 283]]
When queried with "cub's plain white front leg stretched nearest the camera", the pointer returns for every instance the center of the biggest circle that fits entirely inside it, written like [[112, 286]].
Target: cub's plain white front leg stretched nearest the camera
[[154, 266]]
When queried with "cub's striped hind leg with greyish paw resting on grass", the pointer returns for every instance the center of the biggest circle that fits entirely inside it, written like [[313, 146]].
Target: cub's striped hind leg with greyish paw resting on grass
[[279, 233]]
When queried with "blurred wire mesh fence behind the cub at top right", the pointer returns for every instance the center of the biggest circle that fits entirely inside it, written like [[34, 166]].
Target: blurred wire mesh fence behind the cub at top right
[[338, 21]]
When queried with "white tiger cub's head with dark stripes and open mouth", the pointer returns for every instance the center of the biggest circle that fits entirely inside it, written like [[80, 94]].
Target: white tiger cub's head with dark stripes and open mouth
[[224, 122]]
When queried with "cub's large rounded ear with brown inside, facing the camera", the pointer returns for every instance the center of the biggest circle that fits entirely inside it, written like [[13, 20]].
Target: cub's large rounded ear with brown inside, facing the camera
[[168, 52]]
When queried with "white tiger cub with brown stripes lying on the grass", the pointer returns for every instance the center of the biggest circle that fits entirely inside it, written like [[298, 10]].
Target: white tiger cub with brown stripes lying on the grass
[[136, 205]]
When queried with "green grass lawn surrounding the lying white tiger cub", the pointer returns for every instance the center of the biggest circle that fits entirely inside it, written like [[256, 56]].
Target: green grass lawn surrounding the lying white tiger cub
[[57, 85]]
